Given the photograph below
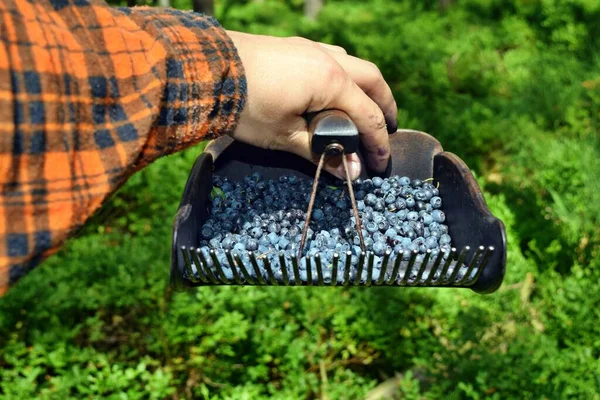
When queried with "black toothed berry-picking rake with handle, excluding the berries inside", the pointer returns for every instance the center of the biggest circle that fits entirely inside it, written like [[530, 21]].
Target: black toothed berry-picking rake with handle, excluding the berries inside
[[477, 260]]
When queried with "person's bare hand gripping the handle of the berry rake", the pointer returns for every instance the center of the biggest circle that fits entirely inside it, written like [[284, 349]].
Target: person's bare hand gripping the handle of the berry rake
[[289, 77]]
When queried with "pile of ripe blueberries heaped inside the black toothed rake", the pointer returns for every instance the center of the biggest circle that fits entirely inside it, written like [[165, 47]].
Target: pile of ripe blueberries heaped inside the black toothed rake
[[266, 217]]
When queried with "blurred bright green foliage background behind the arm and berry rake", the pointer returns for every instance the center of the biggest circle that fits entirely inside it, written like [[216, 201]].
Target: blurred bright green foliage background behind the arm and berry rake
[[511, 86]]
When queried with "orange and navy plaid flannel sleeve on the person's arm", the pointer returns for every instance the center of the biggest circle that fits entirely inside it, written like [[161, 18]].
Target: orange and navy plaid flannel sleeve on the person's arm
[[89, 94]]
